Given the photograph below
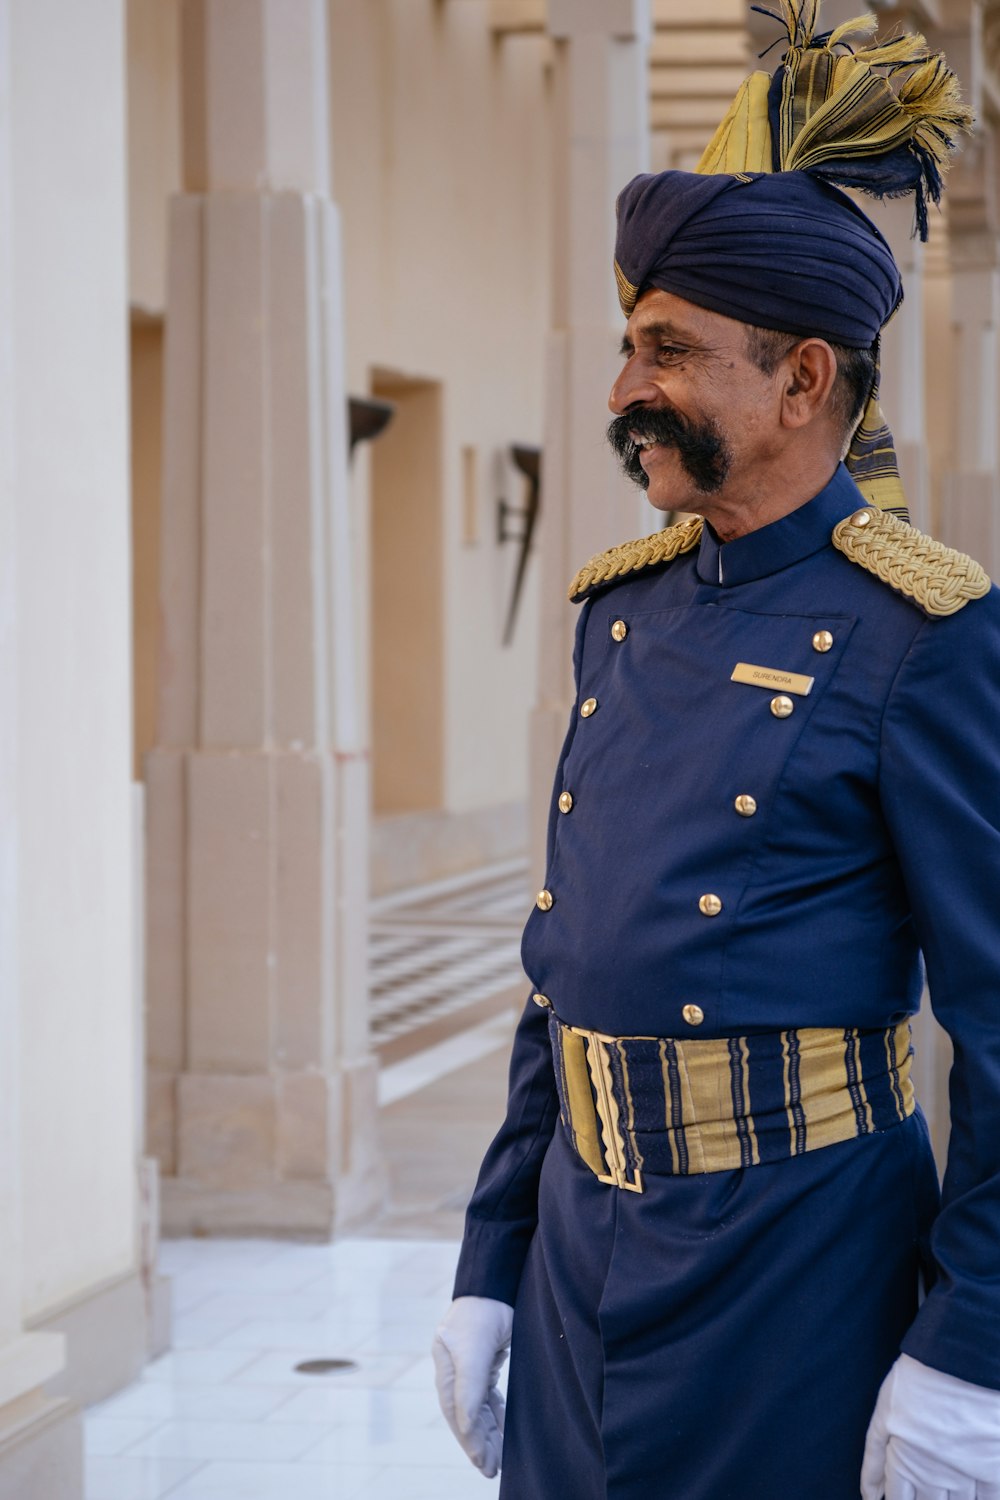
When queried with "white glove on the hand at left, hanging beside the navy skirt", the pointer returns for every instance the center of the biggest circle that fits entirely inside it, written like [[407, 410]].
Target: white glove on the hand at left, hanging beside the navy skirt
[[470, 1349]]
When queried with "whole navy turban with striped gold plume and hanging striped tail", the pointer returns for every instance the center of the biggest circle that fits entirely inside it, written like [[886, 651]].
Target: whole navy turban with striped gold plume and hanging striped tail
[[762, 232]]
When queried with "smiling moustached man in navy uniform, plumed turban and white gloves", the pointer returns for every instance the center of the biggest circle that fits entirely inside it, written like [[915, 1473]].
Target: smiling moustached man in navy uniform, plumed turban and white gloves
[[713, 1196]]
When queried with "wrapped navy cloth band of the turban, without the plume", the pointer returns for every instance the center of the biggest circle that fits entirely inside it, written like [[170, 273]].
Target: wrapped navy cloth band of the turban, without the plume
[[779, 250]]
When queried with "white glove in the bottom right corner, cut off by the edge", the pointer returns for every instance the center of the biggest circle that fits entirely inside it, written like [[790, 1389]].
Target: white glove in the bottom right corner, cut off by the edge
[[933, 1438]]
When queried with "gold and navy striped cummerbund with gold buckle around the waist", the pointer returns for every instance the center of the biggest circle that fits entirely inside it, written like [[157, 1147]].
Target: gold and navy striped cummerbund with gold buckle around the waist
[[660, 1106]]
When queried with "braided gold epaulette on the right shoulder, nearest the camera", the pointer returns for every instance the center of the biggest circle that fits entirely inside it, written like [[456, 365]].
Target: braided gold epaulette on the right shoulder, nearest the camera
[[935, 577]]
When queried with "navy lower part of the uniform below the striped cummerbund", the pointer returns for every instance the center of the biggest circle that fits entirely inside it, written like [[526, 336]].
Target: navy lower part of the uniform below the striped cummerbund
[[720, 1337]]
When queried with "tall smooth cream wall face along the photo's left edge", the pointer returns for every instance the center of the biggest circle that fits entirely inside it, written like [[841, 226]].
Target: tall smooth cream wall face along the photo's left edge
[[74, 818]]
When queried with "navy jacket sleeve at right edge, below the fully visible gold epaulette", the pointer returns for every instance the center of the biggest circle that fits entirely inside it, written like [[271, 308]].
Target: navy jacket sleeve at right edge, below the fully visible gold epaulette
[[941, 796]]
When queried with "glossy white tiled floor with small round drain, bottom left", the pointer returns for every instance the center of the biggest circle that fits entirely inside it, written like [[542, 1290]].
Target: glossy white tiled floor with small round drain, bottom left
[[226, 1415]]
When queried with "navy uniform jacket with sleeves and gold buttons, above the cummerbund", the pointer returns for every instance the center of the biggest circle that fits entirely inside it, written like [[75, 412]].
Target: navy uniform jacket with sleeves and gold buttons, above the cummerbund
[[876, 839]]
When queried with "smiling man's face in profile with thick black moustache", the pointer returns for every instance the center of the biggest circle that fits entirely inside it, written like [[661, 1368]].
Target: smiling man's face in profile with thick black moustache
[[696, 422]]
